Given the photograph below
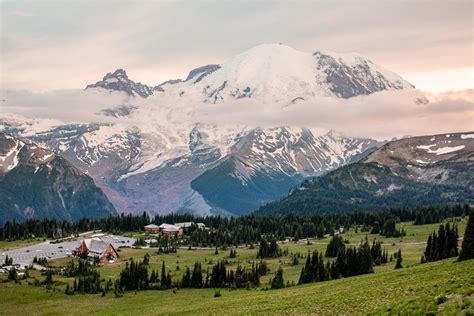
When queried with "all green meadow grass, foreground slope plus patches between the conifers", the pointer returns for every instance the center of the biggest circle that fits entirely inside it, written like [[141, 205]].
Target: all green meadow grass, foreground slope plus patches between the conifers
[[445, 286]]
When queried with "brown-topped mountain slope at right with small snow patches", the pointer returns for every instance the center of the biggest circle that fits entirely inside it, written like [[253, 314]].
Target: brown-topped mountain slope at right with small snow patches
[[414, 171]]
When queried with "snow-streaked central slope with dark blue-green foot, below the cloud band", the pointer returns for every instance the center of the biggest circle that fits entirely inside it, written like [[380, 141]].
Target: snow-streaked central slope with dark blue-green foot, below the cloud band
[[266, 163]]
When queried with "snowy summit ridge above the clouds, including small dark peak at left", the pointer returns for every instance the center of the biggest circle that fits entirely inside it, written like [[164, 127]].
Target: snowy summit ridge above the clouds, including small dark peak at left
[[270, 73]]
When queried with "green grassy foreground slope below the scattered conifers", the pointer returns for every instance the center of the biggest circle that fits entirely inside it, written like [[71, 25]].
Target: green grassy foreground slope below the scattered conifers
[[409, 290]]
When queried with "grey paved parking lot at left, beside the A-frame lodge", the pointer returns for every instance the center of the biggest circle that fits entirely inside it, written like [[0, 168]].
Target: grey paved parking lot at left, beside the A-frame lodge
[[24, 256]]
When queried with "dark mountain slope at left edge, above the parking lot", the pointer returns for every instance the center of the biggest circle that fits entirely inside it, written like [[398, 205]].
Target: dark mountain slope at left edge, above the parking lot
[[36, 183]]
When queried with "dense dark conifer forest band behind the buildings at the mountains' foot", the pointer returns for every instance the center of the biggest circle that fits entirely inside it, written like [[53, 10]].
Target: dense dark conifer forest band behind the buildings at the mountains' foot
[[227, 231]]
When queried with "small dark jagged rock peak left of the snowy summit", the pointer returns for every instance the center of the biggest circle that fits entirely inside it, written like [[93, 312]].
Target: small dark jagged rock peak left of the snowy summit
[[119, 81]]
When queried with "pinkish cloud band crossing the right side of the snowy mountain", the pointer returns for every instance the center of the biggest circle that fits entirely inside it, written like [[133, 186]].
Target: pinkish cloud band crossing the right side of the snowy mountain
[[381, 115]]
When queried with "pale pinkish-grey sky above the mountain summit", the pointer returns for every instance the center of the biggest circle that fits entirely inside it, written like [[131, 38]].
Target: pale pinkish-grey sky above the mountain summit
[[54, 45]]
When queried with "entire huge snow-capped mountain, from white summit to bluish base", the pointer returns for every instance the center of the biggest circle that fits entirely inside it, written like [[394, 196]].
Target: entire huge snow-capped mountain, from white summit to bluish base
[[155, 152]]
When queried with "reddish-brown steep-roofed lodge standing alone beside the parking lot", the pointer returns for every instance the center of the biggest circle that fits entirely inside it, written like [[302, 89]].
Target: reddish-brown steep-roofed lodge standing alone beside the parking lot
[[97, 250]]
